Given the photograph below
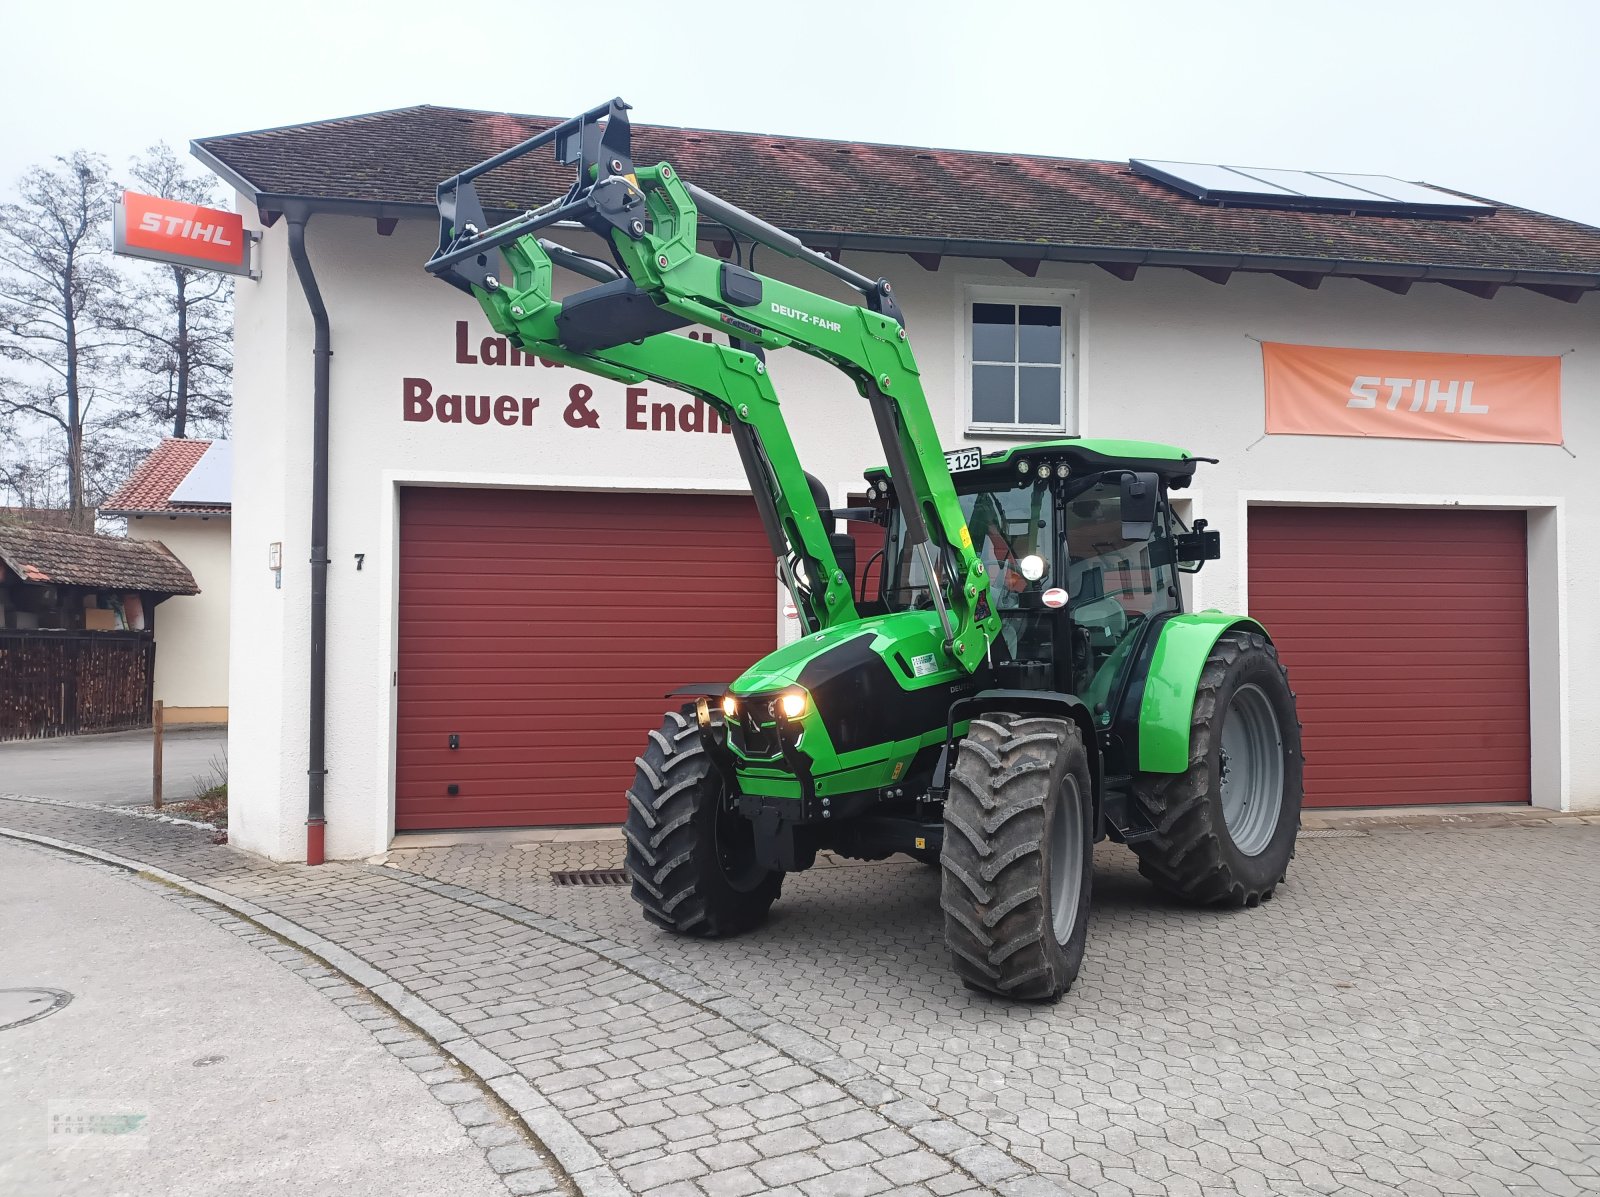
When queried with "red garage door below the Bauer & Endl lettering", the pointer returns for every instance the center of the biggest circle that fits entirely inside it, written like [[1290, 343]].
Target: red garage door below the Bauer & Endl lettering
[[543, 628]]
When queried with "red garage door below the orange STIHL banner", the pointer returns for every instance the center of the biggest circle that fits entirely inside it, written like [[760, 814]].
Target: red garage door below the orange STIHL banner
[[1406, 635]]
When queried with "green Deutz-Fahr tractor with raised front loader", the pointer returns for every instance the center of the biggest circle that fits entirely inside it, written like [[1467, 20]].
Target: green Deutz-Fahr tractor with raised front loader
[[1009, 679]]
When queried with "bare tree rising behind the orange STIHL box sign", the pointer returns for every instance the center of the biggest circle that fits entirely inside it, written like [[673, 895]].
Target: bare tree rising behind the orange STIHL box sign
[[180, 321]]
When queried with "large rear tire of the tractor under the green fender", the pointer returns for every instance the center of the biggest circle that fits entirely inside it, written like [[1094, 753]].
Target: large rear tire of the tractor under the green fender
[[1225, 830]]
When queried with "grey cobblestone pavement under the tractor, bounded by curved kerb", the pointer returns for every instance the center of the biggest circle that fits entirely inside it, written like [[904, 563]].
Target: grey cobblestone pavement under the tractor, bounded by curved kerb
[[1415, 1014]]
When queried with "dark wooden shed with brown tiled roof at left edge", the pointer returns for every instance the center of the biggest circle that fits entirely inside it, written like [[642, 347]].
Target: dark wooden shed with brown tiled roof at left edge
[[78, 619]]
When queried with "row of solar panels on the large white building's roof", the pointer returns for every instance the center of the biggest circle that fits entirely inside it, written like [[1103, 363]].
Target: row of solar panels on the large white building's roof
[[1308, 191]]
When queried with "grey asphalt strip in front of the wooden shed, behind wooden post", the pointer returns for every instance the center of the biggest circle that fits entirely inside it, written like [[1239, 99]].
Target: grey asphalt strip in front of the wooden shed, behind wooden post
[[114, 769]]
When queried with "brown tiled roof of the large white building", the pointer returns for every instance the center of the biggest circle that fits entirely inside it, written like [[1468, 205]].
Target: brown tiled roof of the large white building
[[898, 198]]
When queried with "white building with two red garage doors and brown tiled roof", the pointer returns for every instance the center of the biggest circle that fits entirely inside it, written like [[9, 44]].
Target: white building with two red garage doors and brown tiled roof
[[524, 559]]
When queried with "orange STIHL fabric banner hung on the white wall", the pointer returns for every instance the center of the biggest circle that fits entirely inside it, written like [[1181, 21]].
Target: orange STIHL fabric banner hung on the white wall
[[1318, 391]]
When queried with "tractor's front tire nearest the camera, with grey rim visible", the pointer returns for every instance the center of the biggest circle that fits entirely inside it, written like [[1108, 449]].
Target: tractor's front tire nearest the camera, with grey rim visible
[[1018, 847]]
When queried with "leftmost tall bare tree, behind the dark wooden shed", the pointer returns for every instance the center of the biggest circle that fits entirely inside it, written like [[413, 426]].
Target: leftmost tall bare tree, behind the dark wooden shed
[[58, 298]]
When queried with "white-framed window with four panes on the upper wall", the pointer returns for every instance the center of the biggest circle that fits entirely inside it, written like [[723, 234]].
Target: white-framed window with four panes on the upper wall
[[1022, 361]]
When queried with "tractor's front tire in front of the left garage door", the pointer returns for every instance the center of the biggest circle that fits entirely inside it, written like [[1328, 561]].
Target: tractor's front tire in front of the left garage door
[[690, 860]]
